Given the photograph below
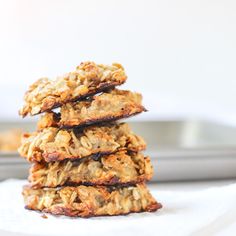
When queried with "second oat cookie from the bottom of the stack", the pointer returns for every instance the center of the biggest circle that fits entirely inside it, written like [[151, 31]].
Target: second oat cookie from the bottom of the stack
[[114, 169]]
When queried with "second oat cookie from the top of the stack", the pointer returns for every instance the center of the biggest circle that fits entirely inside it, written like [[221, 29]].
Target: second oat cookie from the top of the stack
[[108, 106]]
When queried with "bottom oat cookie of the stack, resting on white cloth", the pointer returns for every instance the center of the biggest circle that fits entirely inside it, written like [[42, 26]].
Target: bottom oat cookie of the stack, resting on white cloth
[[87, 201]]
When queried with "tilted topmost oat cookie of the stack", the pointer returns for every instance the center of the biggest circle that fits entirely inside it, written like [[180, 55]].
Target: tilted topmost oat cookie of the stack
[[88, 79]]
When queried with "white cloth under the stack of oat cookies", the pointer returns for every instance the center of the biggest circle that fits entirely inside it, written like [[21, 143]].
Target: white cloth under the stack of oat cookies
[[201, 212]]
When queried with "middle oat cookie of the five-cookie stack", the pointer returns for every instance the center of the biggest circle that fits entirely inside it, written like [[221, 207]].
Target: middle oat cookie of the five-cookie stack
[[54, 144]]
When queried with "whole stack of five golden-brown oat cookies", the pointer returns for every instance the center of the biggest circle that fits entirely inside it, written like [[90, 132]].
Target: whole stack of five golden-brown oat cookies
[[85, 163]]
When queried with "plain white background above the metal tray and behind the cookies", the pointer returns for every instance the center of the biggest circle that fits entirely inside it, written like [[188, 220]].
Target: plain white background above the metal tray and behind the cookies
[[180, 54]]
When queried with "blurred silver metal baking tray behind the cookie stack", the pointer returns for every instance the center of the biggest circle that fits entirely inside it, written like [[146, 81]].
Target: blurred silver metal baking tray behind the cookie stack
[[180, 150]]
